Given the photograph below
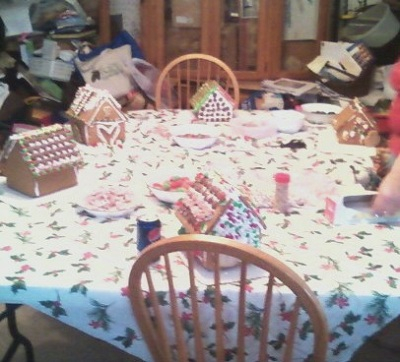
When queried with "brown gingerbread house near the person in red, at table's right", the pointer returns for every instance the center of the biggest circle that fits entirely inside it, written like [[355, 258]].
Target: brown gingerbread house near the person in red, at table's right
[[355, 125]]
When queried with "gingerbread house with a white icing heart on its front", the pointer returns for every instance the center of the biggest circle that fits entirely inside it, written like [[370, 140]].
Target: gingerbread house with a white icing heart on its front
[[96, 117]]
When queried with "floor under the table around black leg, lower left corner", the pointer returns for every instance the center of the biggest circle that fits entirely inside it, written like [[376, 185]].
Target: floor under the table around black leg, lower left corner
[[54, 341]]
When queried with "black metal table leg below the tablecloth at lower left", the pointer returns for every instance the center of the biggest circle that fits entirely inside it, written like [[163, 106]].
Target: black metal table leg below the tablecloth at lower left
[[17, 337]]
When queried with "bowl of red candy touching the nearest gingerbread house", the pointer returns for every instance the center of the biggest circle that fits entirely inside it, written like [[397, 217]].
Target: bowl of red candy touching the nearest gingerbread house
[[169, 185]]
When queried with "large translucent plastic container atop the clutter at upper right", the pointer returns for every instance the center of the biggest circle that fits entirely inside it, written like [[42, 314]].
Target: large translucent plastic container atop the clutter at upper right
[[375, 27]]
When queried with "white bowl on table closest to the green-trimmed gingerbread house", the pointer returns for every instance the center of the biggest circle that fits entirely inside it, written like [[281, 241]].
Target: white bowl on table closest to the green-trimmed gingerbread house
[[194, 135]]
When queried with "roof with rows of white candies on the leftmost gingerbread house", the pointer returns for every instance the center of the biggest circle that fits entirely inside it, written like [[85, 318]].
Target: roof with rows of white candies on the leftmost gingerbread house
[[45, 150]]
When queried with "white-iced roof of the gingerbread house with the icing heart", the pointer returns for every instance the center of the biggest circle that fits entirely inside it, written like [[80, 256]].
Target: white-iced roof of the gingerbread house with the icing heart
[[92, 104]]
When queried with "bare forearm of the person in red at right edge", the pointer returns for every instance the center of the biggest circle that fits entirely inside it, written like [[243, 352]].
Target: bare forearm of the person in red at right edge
[[387, 202]]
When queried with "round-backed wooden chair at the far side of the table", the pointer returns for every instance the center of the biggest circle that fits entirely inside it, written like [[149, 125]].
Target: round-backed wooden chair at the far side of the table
[[181, 78]]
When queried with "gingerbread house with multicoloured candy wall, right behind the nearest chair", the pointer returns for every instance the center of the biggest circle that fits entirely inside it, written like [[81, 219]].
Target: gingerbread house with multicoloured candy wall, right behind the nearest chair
[[213, 206]]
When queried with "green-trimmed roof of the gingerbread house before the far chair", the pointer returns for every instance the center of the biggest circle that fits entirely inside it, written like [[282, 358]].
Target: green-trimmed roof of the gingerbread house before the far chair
[[208, 94]]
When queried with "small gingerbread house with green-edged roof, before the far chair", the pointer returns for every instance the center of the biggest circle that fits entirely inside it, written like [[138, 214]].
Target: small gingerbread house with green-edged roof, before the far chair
[[212, 103]]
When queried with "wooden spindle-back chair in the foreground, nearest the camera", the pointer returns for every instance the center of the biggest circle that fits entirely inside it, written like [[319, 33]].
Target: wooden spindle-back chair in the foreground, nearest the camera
[[157, 328]]
